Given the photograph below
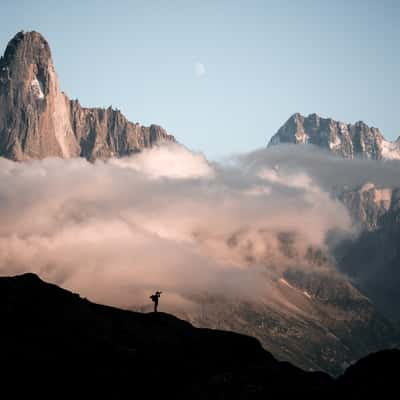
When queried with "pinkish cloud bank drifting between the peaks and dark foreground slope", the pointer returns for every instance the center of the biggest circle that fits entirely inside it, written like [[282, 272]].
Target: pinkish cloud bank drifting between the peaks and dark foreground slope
[[168, 220]]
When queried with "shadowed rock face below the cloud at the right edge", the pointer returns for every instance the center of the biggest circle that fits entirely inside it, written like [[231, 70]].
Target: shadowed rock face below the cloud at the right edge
[[372, 259]]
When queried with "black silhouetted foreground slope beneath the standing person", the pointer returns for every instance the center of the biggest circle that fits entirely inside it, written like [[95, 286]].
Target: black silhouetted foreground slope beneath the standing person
[[53, 342]]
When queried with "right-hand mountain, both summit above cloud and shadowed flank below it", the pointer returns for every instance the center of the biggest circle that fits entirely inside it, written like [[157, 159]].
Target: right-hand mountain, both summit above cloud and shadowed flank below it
[[372, 260]]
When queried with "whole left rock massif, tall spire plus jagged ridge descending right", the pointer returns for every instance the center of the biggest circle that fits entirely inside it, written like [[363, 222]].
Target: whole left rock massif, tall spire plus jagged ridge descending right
[[37, 120]]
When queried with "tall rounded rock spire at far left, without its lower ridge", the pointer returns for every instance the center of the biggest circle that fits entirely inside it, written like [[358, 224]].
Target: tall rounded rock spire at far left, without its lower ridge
[[34, 114]]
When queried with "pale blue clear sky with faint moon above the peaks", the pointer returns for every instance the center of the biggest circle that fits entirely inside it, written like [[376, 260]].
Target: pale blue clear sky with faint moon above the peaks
[[223, 76]]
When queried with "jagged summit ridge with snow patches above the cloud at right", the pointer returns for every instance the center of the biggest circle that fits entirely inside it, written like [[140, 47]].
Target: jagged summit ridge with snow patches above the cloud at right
[[343, 139]]
